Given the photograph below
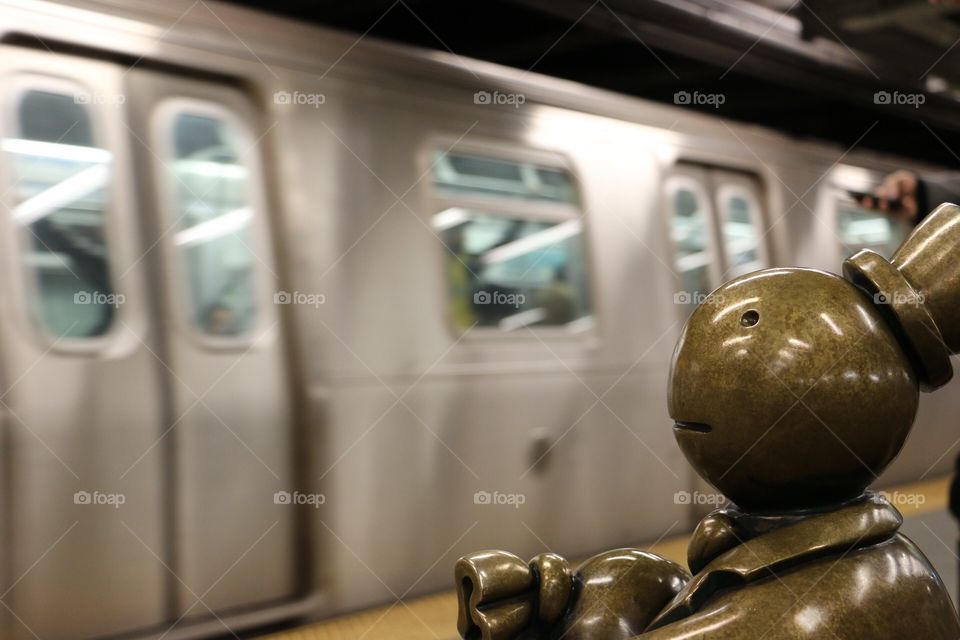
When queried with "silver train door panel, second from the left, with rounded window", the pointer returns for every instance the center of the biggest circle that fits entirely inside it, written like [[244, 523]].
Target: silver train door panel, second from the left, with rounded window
[[233, 500]]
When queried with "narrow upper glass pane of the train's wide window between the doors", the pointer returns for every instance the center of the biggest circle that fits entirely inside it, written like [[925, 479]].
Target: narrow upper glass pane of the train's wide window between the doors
[[457, 174]]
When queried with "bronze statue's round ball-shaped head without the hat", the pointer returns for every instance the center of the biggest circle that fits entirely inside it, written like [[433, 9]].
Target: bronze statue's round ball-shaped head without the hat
[[789, 390]]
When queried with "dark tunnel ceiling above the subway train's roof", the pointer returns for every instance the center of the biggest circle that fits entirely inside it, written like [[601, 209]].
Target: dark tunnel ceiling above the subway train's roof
[[809, 68]]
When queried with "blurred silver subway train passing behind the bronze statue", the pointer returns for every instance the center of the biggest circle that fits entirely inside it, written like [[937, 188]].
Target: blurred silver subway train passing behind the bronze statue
[[292, 318]]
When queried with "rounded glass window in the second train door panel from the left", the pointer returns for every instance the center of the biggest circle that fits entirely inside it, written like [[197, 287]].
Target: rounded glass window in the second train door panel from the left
[[213, 217]]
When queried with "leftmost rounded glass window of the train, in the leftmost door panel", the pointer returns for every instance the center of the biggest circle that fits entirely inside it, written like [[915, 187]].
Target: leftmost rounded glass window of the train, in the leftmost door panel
[[60, 185]]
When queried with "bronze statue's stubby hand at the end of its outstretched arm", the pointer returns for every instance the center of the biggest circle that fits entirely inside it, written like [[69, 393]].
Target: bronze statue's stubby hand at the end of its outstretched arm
[[501, 597]]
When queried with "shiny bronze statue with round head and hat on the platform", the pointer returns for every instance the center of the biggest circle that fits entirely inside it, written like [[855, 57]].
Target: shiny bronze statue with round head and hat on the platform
[[792, 390]]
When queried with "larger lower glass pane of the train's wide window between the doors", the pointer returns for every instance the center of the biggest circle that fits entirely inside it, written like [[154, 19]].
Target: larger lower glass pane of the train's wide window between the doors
[[510, 272]]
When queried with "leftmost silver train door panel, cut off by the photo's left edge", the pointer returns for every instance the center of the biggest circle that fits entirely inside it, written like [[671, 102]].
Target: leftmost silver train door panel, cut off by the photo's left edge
[[80, 403]]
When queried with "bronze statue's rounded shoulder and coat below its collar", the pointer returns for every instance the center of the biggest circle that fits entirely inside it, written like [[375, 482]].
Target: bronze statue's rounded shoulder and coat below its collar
[[887, 590]]
